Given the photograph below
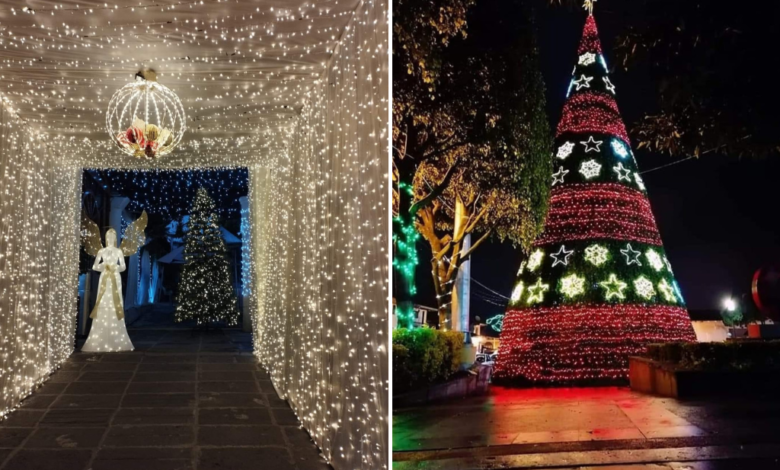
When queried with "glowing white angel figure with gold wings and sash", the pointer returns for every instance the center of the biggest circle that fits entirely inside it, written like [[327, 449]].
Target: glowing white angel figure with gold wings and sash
[[109, 332]]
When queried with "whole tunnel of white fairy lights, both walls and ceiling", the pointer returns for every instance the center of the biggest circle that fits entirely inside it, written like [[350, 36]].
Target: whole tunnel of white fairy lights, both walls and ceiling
[[298, 96]]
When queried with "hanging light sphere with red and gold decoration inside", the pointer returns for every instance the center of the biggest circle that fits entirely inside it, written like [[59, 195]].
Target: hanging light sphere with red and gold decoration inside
[[146, 119]]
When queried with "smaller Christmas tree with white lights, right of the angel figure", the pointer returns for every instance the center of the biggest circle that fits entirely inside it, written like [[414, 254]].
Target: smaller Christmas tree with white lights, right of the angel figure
[[206, 293]]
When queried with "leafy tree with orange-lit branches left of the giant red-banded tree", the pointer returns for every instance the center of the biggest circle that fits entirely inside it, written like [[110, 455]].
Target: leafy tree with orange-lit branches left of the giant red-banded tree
[[470, 130]]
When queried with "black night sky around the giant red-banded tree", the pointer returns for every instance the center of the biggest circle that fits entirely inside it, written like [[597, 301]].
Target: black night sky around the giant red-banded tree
[[717, 215]]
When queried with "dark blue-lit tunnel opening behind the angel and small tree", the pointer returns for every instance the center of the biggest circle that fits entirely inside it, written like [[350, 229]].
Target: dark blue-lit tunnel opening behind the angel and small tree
[[115, 198]]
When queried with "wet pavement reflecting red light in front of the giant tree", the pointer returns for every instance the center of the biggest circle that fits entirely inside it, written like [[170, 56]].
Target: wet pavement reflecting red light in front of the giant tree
[[586, 428]]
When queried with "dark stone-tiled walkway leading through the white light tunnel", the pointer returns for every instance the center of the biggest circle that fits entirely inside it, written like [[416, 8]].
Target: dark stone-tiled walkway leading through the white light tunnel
[[181, 401]]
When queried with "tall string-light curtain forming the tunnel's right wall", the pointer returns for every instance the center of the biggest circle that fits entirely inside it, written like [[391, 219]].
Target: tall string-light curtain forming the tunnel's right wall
[[322, 296]]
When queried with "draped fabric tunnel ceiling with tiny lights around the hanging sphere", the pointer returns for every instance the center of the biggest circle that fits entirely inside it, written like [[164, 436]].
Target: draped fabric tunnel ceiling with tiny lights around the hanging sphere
[[238, 66]]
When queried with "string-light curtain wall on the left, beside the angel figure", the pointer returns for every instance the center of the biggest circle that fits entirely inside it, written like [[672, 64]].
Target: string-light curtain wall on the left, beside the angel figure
[[38, 260]]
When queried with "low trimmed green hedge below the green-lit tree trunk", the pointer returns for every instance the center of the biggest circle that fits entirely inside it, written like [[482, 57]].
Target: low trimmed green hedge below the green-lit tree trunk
[[424, 356]]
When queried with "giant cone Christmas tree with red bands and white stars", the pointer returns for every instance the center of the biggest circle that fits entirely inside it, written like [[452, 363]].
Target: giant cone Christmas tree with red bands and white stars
[[597, 286]]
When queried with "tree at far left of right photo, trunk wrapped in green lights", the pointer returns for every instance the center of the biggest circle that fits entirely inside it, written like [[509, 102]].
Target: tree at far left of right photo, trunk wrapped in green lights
[[421, 32]]
